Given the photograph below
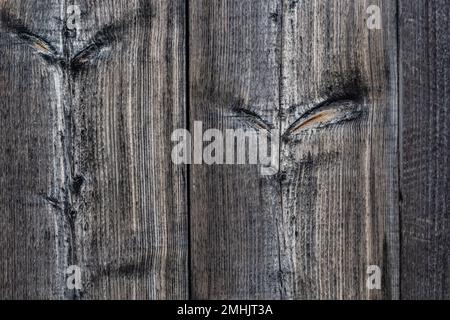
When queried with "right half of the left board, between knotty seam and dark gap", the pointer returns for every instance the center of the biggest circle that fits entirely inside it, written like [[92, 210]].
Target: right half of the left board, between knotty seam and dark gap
[[127, 96]]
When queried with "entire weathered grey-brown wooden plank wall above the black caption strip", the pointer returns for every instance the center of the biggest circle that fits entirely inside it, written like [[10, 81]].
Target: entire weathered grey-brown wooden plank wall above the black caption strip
[[85, 157]]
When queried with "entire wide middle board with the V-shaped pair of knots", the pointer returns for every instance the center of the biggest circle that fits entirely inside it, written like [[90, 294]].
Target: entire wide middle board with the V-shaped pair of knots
[[329, 87]]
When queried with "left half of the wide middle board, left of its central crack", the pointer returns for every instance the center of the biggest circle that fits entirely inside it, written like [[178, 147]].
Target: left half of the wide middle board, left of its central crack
[[234, 72]]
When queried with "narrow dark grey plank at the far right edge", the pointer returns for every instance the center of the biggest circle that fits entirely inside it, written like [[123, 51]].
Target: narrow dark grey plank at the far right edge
[[425, 149]]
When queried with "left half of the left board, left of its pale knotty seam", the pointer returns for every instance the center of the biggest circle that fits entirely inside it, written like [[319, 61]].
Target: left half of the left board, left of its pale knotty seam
[[31, 264]]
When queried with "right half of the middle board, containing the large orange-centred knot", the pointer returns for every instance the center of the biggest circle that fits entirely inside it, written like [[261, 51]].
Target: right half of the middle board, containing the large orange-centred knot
[[339, 160]]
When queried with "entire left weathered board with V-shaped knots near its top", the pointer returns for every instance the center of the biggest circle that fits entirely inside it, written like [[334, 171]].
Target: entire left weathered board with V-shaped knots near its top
[[104, 194]]
